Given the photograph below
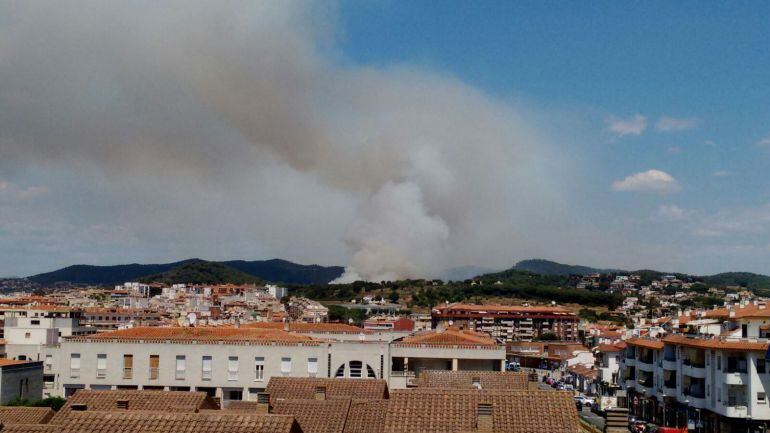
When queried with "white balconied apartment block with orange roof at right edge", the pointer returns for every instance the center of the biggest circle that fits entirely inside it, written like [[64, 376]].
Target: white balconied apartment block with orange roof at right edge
[[708, 383]]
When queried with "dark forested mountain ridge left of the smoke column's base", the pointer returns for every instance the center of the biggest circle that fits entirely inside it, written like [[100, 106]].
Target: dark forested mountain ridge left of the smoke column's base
[[274, 270]]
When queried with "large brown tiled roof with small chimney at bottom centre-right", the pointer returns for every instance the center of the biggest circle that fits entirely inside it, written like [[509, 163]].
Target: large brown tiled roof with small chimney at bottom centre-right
[[453, 410]]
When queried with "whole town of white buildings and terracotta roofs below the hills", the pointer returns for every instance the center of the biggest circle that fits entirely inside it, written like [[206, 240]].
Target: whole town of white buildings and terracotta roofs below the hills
[[673, 354]]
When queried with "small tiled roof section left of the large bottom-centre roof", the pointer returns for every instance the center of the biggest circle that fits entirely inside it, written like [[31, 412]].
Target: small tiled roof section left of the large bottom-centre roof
[[316, 416]]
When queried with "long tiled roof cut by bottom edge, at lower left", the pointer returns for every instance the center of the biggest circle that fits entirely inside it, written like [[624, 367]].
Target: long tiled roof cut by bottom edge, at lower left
[[164, 422]]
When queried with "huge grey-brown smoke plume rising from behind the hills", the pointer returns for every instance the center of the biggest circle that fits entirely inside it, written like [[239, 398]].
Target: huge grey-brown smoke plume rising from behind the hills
[[205, 94]]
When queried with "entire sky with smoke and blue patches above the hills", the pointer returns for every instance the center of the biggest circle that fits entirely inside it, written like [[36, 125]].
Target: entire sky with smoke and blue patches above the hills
[[398, 138]]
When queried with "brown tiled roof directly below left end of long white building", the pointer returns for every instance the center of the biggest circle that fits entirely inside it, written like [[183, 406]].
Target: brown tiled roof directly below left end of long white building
[[138, 400]]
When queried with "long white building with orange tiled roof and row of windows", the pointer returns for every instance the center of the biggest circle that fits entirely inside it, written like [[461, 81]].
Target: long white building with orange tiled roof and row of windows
[[235, 363]]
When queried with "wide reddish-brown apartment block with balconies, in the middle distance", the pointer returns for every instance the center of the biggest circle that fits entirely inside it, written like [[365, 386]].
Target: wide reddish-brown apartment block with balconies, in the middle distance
[[510, 323]]
